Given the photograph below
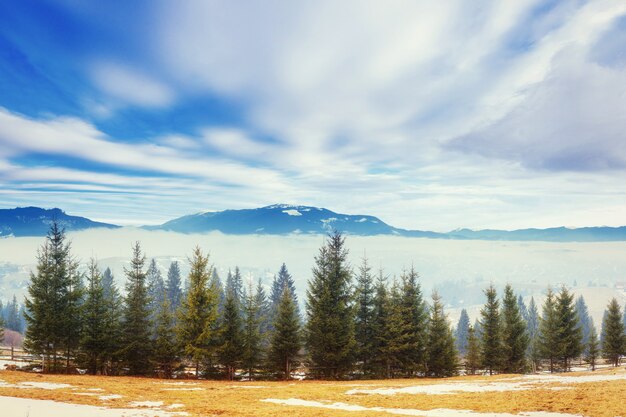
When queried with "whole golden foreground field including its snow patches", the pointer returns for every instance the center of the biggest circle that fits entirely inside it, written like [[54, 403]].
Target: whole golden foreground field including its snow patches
[[601, 393]]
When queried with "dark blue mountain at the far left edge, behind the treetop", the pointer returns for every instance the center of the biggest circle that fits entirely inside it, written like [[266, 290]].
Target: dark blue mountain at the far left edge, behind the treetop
[[35, 221]]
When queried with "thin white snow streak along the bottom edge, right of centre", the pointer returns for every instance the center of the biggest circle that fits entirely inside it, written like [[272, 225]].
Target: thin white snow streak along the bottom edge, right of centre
[[438, 412]]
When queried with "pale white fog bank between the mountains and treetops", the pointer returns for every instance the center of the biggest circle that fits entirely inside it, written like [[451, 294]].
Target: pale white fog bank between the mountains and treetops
[[457, 268]]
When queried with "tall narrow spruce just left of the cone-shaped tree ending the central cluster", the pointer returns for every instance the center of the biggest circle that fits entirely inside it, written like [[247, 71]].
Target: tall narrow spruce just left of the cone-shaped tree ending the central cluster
[[415, 316]]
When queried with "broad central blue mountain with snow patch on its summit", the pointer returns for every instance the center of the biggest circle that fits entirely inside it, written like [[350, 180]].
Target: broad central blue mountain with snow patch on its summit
[[279, 219]]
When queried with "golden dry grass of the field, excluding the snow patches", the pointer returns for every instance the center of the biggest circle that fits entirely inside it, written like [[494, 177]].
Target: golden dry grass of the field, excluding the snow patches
[[607, 398]]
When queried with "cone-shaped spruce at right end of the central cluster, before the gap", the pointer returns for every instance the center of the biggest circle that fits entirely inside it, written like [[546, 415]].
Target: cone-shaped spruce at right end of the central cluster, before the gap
[[442, 355]]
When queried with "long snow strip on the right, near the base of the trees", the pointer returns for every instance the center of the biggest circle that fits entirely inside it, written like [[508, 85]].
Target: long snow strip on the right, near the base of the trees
[[524, 382]]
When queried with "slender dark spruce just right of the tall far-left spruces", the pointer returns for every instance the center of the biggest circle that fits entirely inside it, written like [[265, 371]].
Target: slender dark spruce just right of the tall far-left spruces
[[93, 340]]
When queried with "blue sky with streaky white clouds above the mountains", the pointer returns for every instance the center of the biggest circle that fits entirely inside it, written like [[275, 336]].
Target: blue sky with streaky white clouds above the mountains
[[484, 114]]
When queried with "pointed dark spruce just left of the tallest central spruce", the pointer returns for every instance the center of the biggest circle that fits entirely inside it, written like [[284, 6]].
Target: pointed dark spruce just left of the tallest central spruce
[[285, 340]]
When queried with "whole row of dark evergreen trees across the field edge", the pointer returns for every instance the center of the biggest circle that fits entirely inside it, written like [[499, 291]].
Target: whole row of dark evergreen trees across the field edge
[[357, 325]]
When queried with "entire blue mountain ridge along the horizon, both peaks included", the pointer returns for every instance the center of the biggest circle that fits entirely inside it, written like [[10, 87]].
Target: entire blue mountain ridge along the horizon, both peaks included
[[283, 219]]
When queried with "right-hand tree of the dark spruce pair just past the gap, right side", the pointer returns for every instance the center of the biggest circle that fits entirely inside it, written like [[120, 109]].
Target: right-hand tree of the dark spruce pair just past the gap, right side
[[514, 337]]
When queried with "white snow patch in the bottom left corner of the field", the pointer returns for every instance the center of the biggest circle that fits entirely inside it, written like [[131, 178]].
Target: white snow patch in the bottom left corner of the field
[[19, 407]]
